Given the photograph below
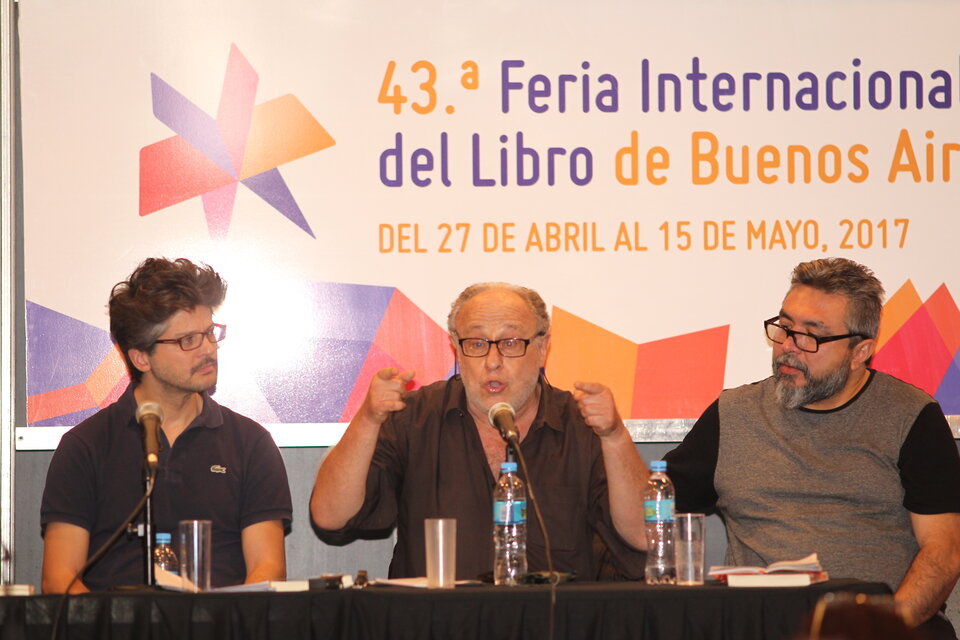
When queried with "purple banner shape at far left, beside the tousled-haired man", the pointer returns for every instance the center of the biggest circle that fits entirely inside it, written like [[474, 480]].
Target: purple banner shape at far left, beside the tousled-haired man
[[61, 351]]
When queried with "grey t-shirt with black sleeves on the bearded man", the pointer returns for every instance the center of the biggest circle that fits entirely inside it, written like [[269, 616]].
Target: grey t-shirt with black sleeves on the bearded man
[[841, 483]]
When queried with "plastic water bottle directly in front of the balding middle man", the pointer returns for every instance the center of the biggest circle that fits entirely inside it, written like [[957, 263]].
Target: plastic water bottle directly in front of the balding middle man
[[509, 527]]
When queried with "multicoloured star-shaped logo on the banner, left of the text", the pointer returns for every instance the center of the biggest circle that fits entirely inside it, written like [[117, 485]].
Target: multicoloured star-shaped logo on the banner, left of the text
[[245, 143]]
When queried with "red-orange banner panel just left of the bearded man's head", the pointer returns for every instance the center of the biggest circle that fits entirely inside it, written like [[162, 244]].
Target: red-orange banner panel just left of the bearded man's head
[[679, 377]]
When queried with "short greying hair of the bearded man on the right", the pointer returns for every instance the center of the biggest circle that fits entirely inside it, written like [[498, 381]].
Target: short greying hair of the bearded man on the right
[[852, 280]]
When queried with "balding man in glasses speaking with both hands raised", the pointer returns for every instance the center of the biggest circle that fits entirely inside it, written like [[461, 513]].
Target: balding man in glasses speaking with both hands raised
[[433, 453]]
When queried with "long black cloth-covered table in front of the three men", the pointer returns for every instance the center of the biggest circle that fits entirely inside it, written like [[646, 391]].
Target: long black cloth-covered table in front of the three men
[[588, 610]]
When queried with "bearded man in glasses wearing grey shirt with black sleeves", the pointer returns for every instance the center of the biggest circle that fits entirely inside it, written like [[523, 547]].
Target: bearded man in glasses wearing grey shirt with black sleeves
[[830, 456]]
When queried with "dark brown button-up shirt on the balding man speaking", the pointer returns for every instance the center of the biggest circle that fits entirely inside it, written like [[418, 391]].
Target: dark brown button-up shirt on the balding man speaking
[[429, 462]]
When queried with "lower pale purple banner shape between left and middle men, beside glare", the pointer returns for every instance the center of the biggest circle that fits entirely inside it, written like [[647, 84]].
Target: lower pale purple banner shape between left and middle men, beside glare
[[330, 366]]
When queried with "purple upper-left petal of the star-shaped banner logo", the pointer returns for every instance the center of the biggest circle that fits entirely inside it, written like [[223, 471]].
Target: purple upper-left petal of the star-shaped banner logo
[[189, 122]]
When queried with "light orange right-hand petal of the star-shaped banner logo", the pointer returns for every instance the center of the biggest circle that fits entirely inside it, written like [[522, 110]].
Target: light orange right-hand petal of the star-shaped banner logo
[[282, 130]]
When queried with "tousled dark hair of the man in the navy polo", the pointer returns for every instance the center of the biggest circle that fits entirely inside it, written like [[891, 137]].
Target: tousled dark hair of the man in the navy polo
[[141, 305]]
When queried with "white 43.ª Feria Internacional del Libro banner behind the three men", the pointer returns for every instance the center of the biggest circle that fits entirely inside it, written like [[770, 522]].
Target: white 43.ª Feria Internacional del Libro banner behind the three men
[[655, 170]]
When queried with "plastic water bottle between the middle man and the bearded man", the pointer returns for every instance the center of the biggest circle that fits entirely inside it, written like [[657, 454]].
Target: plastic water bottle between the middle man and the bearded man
[[658, 514]]
